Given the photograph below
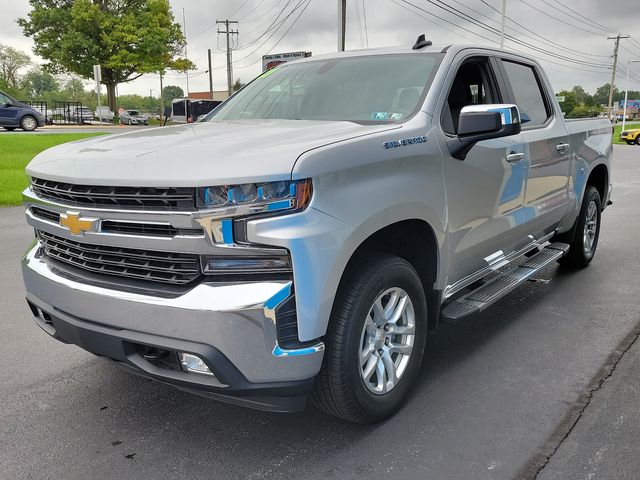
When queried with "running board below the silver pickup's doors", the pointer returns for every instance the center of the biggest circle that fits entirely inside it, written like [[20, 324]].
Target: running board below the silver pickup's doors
[[499, 286]]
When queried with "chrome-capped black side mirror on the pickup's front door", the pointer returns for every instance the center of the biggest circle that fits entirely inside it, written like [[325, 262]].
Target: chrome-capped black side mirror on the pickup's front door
[[483, 122]]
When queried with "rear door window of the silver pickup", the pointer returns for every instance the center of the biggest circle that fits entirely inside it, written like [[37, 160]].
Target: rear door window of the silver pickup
[[528, 93]]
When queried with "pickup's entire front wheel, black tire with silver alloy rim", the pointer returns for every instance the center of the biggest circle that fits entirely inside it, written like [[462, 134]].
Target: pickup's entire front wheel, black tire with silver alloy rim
[[375, 340]]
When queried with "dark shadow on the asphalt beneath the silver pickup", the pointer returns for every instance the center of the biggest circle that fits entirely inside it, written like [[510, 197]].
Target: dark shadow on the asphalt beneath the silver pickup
[[139, 413]]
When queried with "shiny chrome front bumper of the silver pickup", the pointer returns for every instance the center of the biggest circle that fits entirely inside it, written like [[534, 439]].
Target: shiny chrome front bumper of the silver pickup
[[235, 319]]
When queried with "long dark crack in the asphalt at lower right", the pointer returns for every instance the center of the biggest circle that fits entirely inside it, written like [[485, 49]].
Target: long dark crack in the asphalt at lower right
[[538, 462]]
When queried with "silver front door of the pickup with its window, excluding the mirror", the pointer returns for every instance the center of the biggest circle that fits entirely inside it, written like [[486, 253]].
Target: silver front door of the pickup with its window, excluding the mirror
[[485, 192]]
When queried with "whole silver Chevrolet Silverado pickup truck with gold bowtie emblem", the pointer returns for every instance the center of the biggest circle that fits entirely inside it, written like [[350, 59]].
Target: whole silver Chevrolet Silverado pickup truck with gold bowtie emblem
[[308, 236]]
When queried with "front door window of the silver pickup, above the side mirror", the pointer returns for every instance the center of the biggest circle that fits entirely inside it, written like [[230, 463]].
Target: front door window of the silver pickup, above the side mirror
[[472, 85]]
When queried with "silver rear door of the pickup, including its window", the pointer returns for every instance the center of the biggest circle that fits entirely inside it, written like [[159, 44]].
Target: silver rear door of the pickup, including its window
[[547, 147]]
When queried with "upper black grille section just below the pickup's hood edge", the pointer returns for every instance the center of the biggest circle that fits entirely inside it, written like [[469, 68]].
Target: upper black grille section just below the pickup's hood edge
[[136, 198]]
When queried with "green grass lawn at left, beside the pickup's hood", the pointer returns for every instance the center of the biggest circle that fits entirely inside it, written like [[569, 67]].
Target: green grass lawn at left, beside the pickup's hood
[[16, 150]]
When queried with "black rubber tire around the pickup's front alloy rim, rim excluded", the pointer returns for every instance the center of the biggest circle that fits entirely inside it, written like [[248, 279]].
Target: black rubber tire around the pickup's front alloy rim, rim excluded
[[340, 389]]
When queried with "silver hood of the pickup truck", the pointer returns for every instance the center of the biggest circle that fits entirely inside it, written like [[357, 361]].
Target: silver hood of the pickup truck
[[198, 154]]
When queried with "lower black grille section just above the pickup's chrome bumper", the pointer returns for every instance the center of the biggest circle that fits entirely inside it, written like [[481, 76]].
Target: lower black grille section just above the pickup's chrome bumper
[[164, 267]]
